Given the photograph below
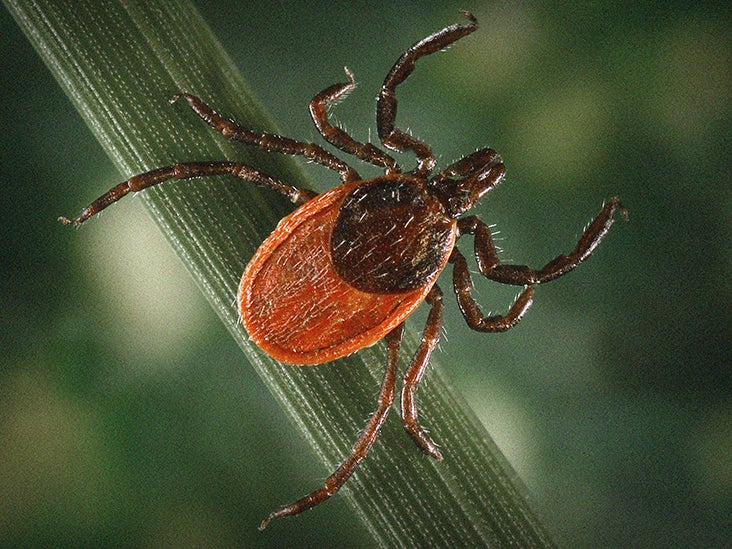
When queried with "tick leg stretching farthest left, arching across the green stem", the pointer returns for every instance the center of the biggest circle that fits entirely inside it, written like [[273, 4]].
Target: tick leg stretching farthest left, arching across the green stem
[[187, 171]]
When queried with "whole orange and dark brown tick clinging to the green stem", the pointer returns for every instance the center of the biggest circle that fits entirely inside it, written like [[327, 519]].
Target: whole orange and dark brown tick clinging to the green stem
[[348, 266]]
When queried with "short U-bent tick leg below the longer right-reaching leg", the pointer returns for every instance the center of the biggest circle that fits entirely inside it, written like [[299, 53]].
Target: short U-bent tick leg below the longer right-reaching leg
[[463, 285]]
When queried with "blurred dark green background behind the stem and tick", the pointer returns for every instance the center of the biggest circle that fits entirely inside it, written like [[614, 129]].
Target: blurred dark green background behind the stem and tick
[[128, 416]]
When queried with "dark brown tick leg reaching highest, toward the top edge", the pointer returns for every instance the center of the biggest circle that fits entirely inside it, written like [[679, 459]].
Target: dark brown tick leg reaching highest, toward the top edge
[[386, 103]]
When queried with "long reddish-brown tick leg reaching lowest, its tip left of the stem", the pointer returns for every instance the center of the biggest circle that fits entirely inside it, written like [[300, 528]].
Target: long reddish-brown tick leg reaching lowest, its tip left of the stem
[[364, 443]]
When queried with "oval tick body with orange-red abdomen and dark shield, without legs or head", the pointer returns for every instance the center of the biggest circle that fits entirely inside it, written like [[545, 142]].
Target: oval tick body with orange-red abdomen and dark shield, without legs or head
[[343, 270]]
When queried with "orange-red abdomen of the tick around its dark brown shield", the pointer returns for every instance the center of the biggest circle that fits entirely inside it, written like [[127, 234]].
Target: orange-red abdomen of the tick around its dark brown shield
[[298, 309]]
